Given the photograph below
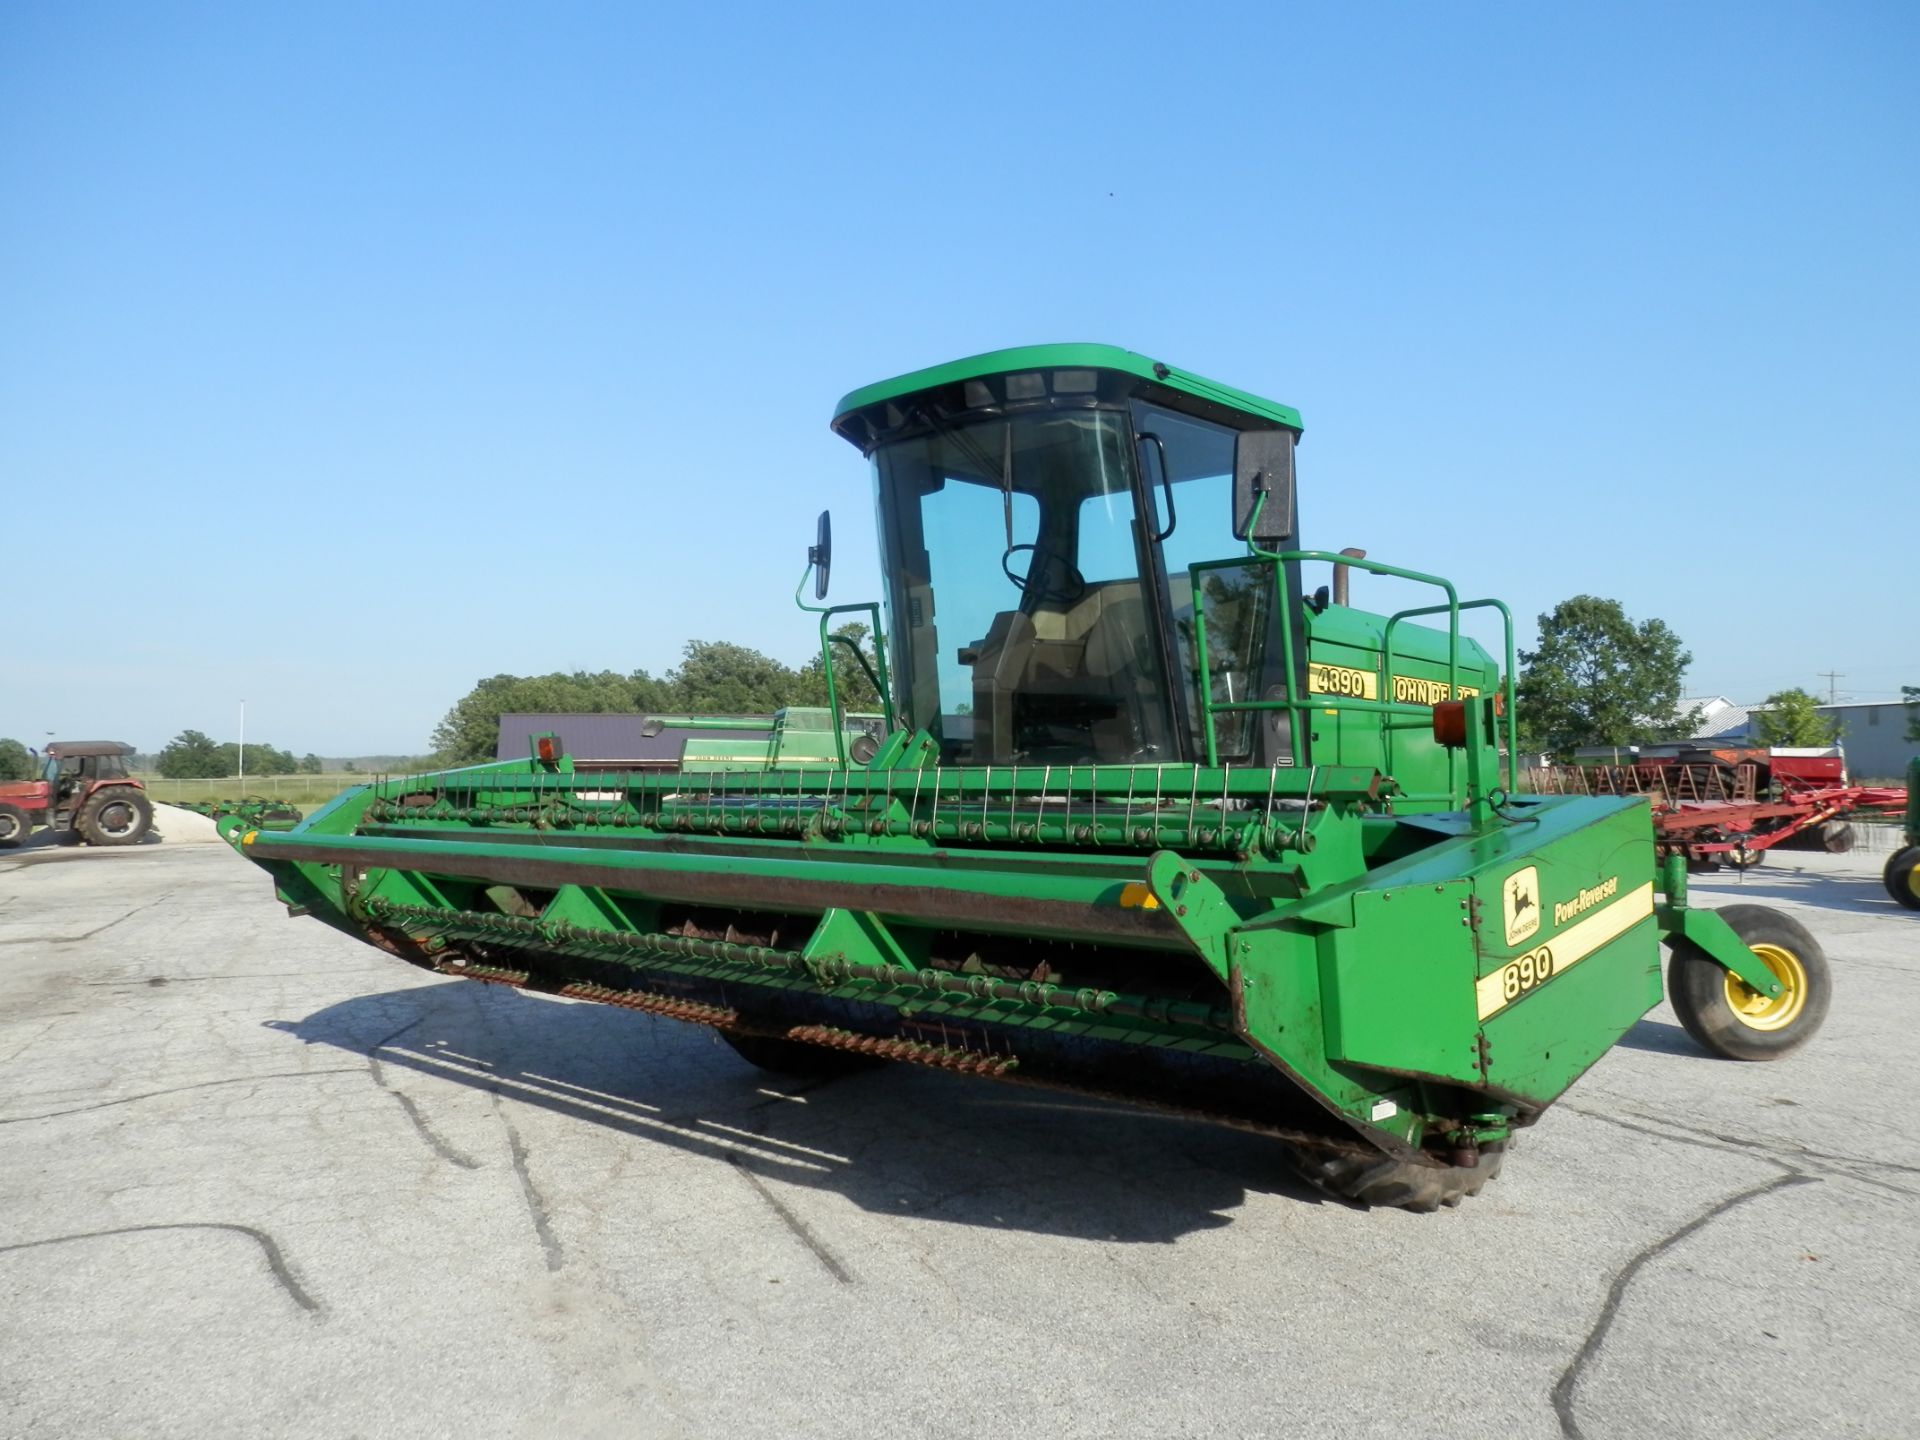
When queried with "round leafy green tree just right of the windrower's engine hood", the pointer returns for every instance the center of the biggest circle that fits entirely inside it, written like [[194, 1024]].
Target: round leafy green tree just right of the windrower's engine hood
[[1600, 679]]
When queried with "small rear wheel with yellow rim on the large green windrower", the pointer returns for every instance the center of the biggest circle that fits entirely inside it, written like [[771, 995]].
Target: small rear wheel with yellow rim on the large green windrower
[[1702, 992]]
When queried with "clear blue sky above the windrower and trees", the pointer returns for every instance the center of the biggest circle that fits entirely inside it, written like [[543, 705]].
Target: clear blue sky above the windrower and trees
[[350, 354]]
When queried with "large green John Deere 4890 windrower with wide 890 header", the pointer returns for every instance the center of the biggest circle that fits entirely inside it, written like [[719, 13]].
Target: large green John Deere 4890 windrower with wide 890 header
[[1143, 817]]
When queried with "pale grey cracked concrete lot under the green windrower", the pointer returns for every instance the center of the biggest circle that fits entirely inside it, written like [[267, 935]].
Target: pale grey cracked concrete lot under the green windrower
[[262, 1180]]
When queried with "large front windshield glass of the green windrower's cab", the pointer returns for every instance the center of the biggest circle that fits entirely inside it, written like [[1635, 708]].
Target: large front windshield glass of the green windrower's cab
[[1022, 592]]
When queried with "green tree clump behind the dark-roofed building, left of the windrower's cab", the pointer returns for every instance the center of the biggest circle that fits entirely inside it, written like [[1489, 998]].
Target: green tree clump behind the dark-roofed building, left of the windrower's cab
[[713, 677]]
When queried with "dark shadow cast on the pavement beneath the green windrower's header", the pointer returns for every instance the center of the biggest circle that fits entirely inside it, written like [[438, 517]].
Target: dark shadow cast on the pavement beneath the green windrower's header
[[898, 1140]]
